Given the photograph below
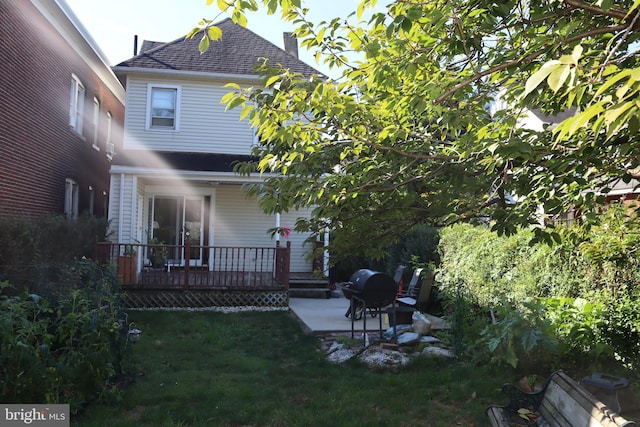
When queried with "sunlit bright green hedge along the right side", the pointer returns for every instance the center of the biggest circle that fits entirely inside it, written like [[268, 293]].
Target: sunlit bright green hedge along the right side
[[587, 285]]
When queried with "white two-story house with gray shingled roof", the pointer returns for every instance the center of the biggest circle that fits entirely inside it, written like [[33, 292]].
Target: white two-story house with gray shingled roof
[[174, 178]]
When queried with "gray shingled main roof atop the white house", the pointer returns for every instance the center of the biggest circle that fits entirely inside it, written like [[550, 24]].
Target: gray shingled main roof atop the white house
[[236, 52]]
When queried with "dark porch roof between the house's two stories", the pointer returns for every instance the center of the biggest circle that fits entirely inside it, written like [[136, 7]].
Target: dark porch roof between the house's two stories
[[182, 161]]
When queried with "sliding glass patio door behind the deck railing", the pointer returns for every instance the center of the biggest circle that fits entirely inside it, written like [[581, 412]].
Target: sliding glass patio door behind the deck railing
[[175, 219]]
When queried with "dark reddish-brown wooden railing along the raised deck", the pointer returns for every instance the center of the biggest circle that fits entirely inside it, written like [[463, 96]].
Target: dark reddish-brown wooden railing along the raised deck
[[148, 266]]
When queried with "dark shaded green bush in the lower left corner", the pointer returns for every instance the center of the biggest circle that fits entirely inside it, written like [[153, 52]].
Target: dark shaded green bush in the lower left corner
[[64, 350]]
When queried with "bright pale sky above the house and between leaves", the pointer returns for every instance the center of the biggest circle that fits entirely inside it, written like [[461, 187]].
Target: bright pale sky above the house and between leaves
[[114, 23]]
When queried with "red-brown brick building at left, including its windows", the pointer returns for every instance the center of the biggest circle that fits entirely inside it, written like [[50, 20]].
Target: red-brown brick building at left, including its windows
[[63, 113]]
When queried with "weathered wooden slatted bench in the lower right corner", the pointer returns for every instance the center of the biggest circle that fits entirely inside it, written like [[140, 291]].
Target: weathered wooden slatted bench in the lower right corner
[[561, 403]]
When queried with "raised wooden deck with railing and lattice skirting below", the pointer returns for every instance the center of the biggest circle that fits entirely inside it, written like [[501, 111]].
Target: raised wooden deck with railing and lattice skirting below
[[233, 276]]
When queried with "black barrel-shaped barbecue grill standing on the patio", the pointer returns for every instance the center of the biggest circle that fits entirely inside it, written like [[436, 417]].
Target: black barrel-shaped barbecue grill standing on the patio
[[369, 292]]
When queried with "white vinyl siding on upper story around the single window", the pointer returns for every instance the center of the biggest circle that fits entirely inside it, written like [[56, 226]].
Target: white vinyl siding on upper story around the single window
[[204, 125]]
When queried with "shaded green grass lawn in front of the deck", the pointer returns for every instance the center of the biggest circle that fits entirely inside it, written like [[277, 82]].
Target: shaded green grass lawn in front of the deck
[[260, 369]]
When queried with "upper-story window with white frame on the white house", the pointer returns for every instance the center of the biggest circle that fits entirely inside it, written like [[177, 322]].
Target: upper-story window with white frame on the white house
[[163, 107]]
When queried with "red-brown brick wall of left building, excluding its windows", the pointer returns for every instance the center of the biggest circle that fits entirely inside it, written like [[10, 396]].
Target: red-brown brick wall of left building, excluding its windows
[[38, 150]]
